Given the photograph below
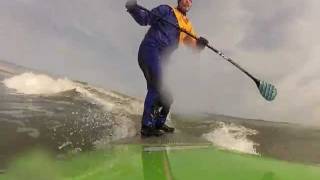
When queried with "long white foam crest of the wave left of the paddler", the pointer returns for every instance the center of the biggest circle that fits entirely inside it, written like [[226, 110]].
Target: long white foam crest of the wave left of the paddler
[[31, 83]]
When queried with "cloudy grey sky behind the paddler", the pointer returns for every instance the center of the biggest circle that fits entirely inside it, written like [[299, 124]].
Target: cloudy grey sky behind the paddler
[[97, 41]]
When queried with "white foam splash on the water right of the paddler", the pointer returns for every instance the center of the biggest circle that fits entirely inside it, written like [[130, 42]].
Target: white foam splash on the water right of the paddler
[[233, 137]]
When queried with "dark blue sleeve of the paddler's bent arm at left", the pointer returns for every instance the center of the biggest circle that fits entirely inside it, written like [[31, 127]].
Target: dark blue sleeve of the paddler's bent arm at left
[[145, 18]]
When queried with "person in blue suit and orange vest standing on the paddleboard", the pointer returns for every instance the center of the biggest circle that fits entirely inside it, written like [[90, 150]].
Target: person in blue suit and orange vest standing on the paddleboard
[[160, 41]]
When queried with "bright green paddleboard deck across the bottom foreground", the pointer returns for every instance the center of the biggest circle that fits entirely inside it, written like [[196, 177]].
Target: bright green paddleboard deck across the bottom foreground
[[177, 157]]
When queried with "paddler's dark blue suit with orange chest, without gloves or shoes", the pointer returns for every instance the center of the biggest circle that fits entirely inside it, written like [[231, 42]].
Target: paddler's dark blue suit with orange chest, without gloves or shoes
[[160, 40]]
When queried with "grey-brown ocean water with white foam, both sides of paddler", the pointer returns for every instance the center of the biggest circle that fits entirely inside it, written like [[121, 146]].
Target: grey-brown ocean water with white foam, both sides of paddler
[[65, 116]]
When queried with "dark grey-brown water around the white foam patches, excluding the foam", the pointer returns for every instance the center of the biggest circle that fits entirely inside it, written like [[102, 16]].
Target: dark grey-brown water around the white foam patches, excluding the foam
[[67, 122]]
